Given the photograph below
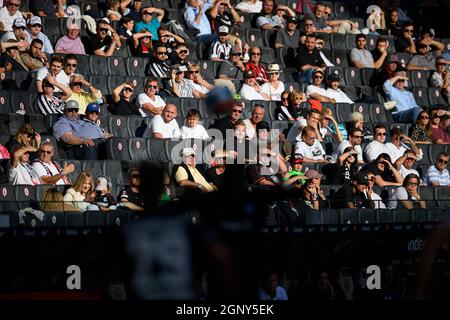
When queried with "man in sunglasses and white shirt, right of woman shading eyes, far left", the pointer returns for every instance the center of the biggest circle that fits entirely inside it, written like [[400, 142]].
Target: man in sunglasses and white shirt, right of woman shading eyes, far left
[[50, 171]]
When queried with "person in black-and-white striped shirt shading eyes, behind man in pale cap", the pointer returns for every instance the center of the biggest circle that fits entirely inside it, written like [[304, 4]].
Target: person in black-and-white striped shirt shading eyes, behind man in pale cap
[[47, 102]]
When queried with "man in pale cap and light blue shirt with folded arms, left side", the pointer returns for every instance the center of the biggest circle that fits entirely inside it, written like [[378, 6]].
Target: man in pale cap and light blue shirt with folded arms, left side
[[82, 138]]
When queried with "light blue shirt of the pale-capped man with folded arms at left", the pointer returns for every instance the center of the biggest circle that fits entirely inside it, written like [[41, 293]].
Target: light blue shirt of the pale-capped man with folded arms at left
[[80, 128]]
